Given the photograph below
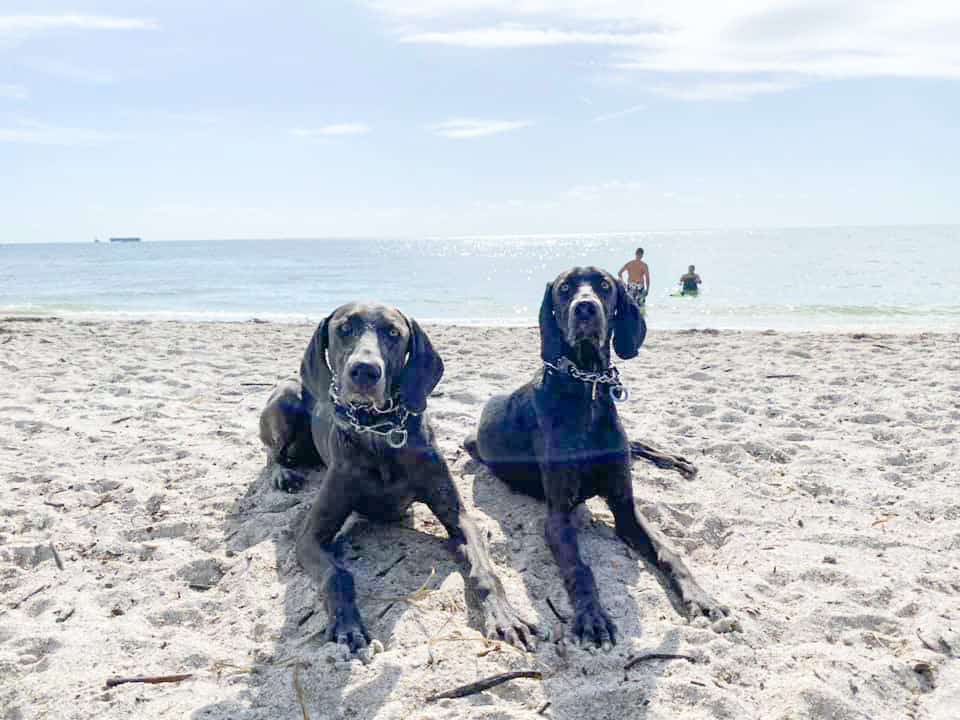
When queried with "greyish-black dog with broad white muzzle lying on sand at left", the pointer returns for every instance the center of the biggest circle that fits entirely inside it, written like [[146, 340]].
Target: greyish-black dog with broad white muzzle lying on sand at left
[[361, 417]]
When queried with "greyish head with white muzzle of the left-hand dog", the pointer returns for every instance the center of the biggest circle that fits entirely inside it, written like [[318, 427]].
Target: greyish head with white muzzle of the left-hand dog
[[374, 354]]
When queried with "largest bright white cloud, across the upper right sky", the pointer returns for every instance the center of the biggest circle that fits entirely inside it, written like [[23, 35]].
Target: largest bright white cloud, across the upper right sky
[[819, 40]]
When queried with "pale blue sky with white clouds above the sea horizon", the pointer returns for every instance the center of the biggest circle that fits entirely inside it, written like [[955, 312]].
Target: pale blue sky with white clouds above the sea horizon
[[176, 119]]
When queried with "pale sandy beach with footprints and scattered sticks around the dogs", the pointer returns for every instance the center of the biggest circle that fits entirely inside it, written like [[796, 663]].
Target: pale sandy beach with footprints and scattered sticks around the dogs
[[826, 514]]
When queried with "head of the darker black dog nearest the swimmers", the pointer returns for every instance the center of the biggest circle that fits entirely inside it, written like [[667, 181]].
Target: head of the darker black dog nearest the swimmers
[[582, 311]]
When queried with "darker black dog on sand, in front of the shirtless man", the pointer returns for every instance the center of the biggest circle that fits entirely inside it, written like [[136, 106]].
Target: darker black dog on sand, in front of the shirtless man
[[559, 438]]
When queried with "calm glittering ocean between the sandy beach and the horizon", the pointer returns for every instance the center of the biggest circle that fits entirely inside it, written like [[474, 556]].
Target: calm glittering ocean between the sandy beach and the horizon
[[851, 278]]
